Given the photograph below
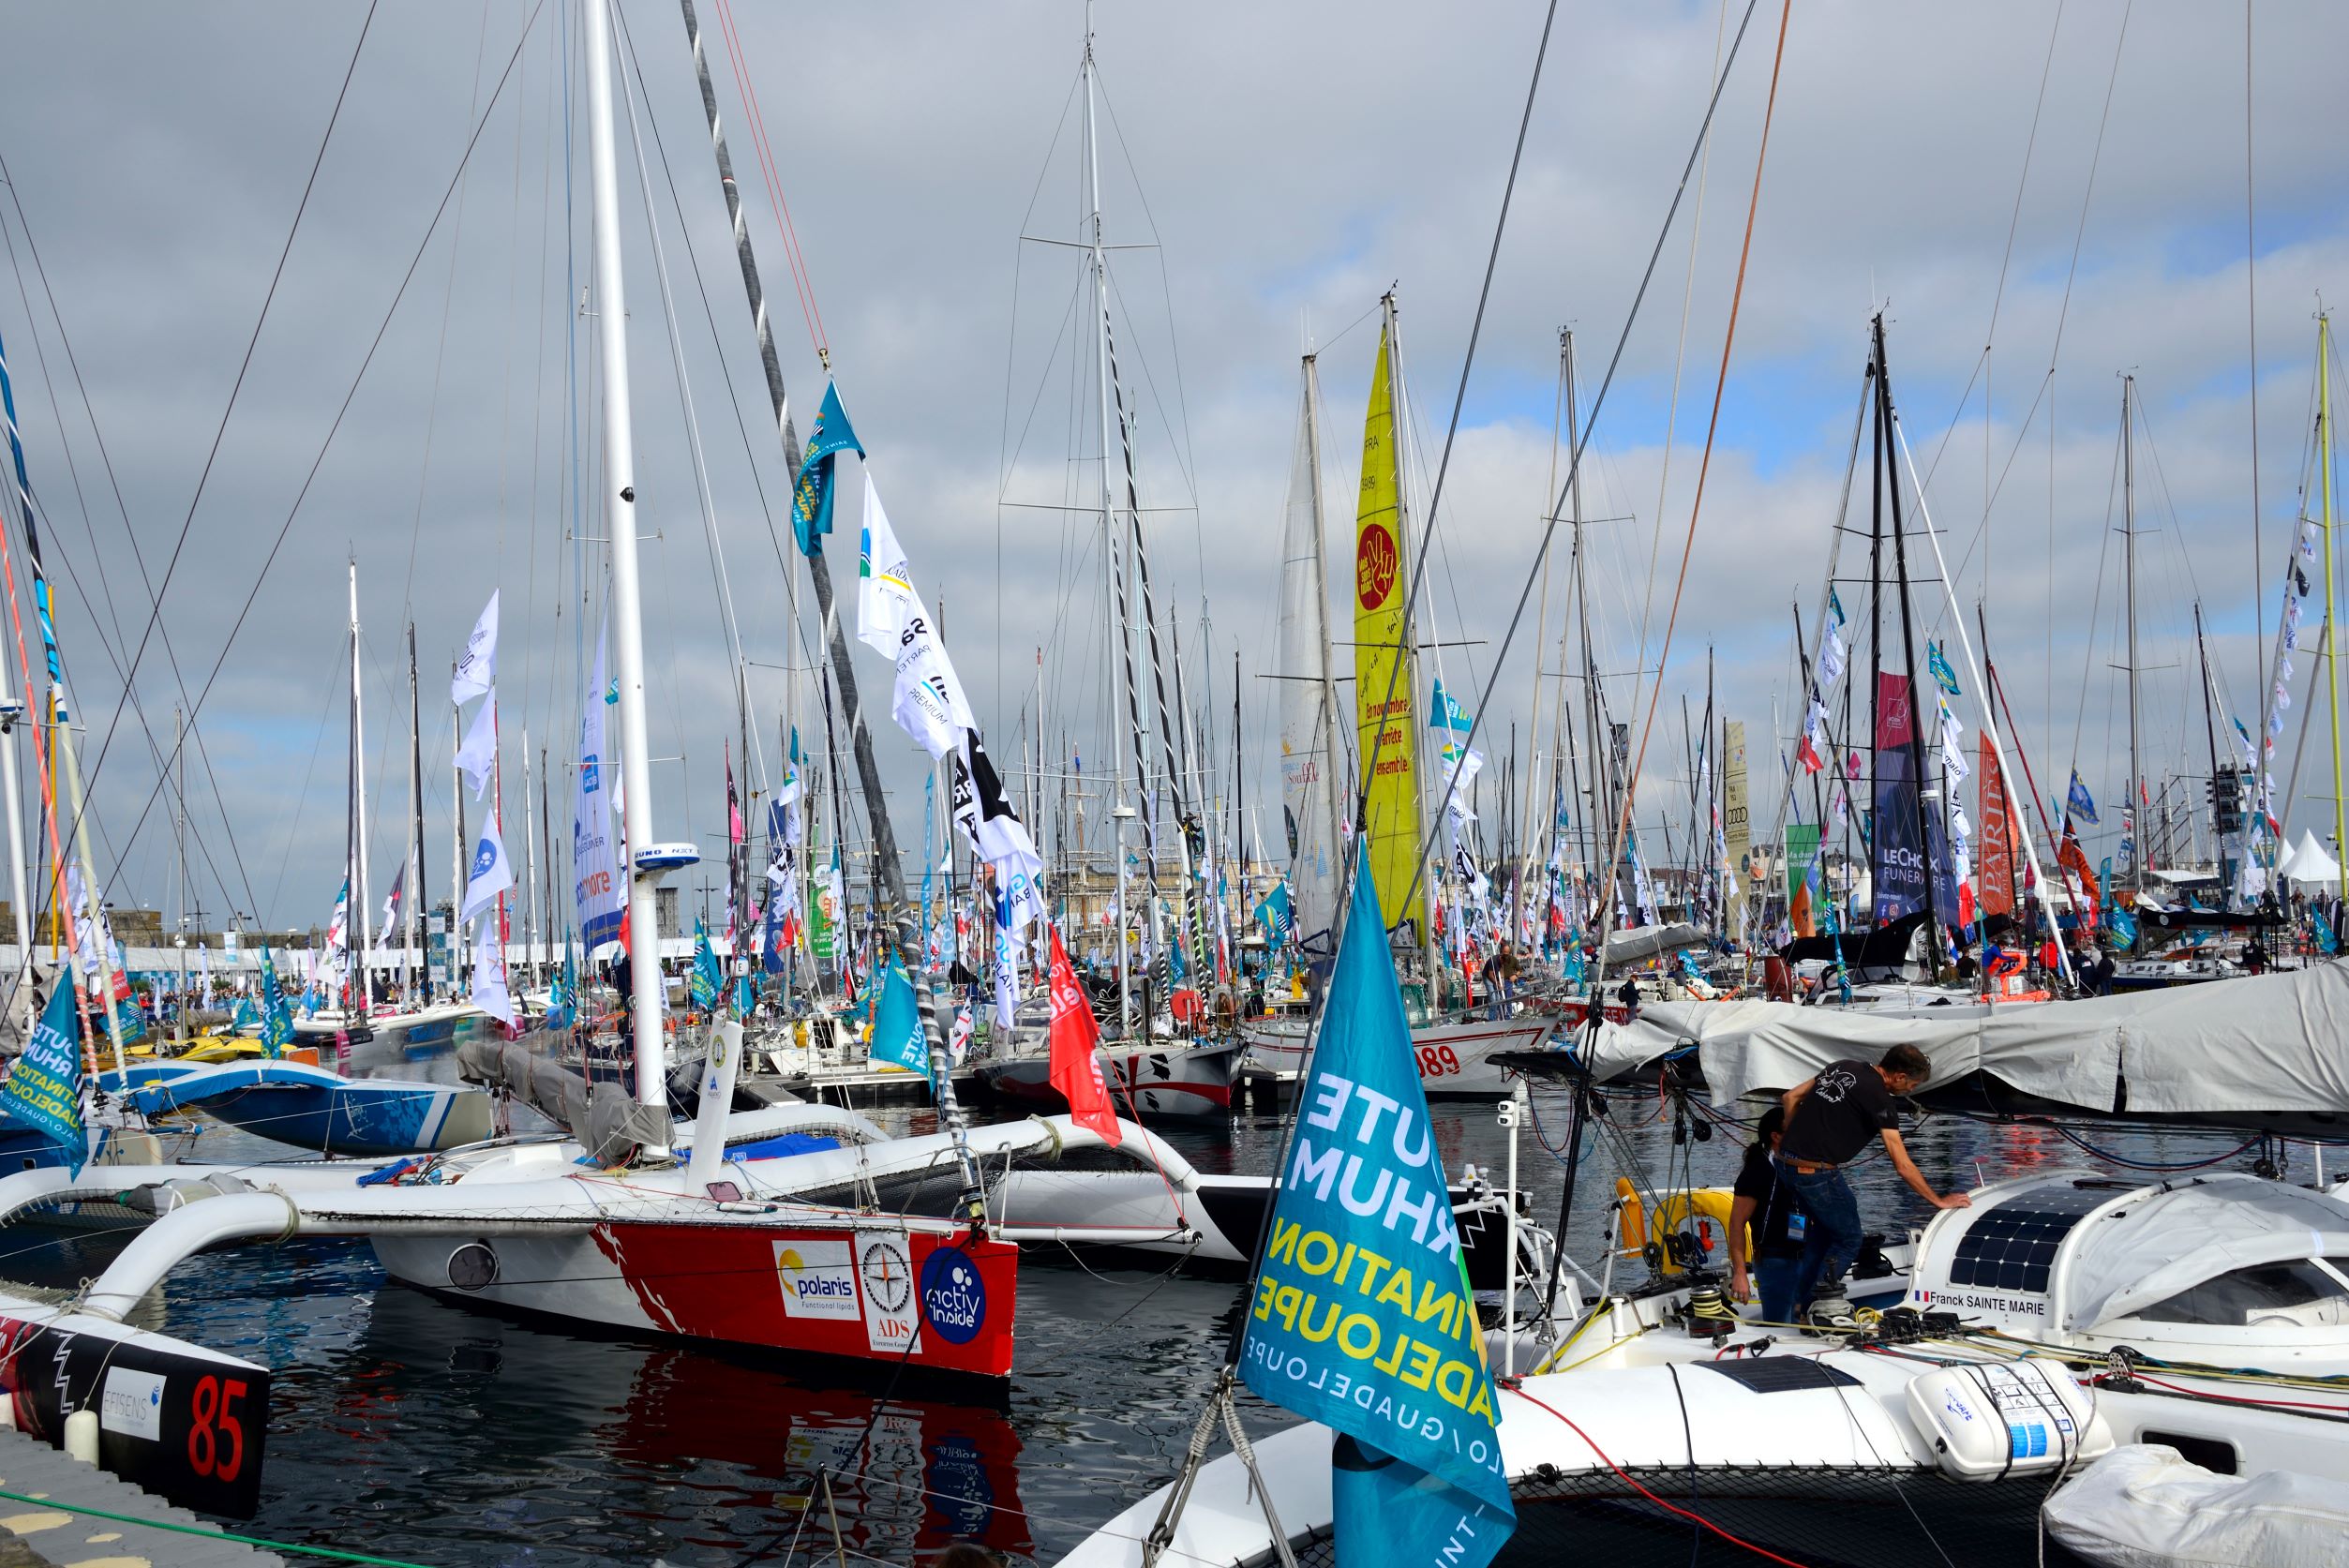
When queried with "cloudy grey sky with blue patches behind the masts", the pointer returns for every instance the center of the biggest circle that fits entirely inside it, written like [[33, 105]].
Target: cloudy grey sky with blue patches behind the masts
[[2064, 187]]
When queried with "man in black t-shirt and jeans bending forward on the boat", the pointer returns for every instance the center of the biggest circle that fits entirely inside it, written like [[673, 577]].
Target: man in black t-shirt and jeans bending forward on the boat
[[1831, 1118]]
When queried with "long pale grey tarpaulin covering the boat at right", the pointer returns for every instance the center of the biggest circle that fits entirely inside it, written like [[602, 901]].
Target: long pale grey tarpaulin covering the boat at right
[[2266, 1043]]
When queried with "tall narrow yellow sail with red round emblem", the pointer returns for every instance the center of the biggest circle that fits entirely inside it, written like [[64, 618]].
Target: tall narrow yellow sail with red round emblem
[[1385, 726]]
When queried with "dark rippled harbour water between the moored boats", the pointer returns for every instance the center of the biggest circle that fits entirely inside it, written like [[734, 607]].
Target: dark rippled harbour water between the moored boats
[[419, 1431]]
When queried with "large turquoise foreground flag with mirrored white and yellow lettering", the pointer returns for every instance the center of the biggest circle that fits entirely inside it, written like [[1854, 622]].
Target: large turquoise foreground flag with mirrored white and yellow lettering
[[1361, 1316]]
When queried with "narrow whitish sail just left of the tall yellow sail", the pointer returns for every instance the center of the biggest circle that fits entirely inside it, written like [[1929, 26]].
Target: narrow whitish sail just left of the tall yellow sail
[[1310, 759]]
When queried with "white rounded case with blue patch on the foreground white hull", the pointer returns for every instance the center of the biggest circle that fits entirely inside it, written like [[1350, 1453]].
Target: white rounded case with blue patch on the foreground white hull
[[2005, 1419]]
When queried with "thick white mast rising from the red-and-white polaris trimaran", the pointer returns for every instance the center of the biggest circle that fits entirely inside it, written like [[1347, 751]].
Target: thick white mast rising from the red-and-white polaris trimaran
[[626, 604]]
